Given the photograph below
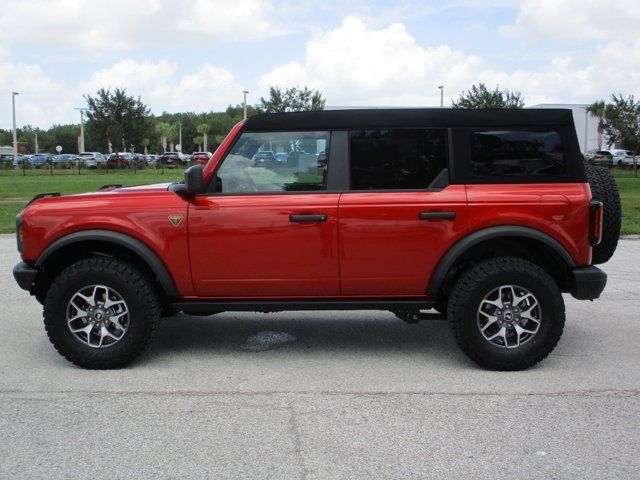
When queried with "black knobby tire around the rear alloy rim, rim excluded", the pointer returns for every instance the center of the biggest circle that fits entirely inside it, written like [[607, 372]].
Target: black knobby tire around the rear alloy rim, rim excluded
[[478, 281]]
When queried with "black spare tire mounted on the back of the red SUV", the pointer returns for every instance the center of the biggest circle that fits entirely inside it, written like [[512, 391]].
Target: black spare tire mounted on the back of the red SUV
[[604, 188]]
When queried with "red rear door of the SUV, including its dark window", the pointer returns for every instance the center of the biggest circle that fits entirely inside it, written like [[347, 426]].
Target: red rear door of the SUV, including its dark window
[[400, 215]]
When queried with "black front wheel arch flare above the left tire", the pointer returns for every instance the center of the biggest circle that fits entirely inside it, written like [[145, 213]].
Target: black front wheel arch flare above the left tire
[[99, 241]]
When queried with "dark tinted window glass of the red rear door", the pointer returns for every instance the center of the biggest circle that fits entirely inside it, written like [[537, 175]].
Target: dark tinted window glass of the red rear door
[[402, 159]]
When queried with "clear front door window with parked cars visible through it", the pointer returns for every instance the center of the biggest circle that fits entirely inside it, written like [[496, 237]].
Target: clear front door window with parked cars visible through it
[[275, 162]]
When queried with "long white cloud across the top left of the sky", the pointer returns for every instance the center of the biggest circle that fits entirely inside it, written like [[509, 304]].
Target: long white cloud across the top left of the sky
[[99, 26]]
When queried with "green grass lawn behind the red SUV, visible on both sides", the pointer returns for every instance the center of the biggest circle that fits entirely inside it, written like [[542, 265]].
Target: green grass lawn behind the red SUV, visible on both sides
[[16, 190]]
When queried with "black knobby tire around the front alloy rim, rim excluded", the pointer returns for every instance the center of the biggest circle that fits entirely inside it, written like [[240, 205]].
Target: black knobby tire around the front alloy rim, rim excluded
[[135, 288]]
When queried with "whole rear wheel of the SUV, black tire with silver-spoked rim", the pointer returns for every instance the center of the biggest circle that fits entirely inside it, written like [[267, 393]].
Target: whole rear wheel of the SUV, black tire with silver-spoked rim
[[506, 313]]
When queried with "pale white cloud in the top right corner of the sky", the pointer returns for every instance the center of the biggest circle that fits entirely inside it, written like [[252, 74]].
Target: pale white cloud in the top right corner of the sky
[[576, 20]]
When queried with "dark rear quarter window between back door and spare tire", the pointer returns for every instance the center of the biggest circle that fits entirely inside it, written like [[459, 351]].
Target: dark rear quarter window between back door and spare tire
[[517, 153]]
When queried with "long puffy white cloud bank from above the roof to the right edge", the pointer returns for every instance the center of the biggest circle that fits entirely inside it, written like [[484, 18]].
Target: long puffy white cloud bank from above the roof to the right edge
[[355, 64]]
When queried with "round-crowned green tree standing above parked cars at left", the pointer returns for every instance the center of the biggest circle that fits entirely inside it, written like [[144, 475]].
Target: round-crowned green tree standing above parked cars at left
[[117, 118]]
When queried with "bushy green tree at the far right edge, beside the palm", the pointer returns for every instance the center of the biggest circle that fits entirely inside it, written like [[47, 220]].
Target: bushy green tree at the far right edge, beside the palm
[[622, 123]]
